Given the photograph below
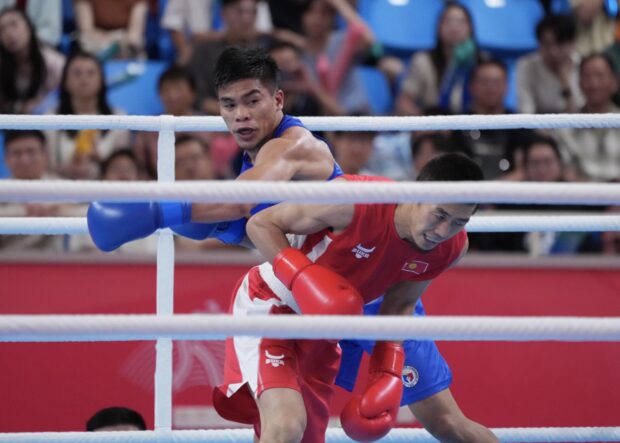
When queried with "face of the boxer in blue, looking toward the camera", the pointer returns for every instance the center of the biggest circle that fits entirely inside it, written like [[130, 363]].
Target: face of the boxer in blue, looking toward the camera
[[251, 111]]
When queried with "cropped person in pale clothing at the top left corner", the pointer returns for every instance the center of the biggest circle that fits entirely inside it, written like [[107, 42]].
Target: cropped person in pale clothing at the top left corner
[[45, 16]]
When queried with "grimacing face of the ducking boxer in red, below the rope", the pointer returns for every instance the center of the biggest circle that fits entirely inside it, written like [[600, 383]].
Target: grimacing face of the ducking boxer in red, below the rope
[[432, 224]]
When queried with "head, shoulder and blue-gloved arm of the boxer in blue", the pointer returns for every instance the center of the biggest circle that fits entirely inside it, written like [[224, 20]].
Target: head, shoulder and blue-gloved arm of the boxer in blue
[[277, 147]]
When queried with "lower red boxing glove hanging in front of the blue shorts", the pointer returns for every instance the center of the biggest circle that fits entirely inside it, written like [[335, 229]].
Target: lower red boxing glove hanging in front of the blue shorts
[[370, 416]]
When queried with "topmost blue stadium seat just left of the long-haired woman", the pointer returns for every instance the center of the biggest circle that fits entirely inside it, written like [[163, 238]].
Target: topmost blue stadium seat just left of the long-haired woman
[[402, 26]]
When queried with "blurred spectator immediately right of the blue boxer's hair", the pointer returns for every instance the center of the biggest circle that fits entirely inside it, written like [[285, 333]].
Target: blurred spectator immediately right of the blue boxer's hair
[[305, 95]]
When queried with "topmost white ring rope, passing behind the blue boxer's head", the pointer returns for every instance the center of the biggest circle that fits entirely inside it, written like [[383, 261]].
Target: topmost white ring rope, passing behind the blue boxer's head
[[337, 123]]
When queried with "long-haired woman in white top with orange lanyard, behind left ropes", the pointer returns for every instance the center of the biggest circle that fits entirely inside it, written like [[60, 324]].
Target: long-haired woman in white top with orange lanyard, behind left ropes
[[76, 154]]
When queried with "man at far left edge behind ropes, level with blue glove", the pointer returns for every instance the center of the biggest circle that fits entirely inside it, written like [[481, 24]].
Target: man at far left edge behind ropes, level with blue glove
[[26, 156]]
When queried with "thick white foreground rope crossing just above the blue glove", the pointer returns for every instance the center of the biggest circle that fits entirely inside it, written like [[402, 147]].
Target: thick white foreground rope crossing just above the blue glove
[[235, 191]]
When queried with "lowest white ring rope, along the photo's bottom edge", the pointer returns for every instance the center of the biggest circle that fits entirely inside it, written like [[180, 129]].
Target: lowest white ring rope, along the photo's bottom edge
[[334, 435]]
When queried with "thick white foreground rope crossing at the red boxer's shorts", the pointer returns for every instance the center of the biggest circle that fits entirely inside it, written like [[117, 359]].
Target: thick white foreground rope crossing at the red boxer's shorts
[[58, 328]]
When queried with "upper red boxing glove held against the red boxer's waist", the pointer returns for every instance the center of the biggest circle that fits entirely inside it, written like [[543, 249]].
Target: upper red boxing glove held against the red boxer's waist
[[317, 290]]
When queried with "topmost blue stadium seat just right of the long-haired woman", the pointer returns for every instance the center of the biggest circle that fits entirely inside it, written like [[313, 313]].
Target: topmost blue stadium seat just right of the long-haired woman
[[505, 26]]
